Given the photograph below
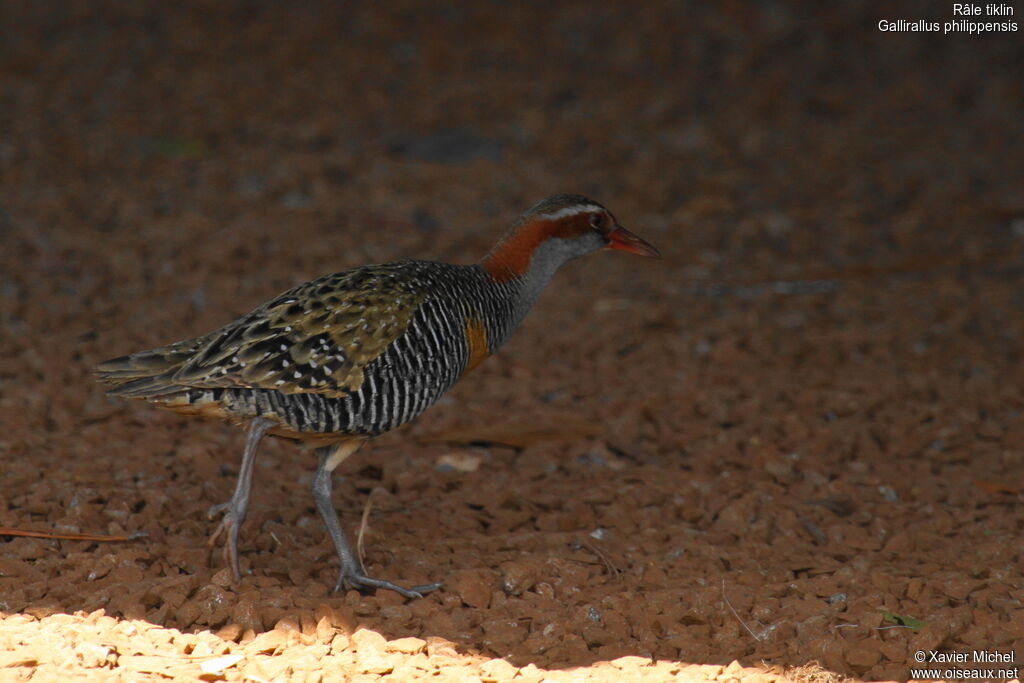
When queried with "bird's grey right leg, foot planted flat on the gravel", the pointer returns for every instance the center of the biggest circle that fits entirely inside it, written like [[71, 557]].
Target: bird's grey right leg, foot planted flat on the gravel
[[352, 573]]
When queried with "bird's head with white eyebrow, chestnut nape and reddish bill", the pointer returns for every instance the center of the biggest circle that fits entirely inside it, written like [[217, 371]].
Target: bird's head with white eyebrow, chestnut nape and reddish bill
[[560, 229]]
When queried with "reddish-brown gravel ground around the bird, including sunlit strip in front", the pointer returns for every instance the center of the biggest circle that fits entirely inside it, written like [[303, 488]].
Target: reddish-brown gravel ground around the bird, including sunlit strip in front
[[797, 439]]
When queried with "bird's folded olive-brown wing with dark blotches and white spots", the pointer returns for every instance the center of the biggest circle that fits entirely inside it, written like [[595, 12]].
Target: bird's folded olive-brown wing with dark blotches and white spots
[[316, 338]]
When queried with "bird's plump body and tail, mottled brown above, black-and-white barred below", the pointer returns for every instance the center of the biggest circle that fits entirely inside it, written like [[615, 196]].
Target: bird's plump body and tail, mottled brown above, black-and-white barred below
[[356, 353]]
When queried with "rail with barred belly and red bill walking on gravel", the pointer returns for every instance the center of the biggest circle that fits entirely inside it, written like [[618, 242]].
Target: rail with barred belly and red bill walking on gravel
[[350, 356]]
